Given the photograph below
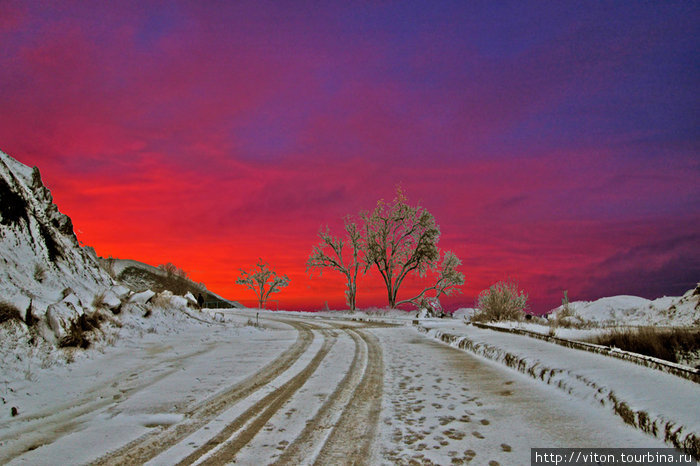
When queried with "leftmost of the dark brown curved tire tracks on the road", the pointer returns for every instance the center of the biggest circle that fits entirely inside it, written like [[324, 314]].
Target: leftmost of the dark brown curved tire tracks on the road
[[155, 442]]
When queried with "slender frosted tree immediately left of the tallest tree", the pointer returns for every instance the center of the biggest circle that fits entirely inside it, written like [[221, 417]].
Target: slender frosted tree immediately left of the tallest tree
[[334, 259]]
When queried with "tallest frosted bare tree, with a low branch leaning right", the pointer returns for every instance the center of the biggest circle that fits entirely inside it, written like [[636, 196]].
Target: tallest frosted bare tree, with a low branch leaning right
[[401, 239]]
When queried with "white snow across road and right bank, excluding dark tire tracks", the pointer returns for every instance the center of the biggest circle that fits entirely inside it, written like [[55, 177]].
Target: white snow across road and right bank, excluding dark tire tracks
[[156, 367]]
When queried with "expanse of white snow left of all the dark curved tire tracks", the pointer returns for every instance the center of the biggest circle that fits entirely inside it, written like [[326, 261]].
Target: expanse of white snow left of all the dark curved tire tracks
[[140, 377]]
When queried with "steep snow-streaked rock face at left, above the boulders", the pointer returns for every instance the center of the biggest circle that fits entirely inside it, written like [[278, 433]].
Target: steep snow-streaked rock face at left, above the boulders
[[41, 262]]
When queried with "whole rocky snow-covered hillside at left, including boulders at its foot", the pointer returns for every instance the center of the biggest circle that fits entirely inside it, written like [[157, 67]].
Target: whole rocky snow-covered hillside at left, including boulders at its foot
[[53, 292]]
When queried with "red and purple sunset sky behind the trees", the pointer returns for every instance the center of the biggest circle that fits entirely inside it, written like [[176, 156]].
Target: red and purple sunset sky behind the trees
[[554, 144]]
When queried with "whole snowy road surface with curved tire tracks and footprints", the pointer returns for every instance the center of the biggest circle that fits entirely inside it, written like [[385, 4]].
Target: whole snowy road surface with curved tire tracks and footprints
[[298, 391]]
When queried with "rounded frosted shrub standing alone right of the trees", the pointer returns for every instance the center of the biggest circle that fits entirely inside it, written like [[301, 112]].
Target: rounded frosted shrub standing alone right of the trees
[[502, 301]]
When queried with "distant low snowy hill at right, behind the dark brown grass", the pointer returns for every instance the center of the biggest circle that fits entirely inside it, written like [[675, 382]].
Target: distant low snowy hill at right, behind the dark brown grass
[[633, 310]]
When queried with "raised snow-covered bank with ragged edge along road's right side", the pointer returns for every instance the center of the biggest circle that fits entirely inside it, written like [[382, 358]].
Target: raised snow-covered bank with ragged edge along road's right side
[[621, 387]]
